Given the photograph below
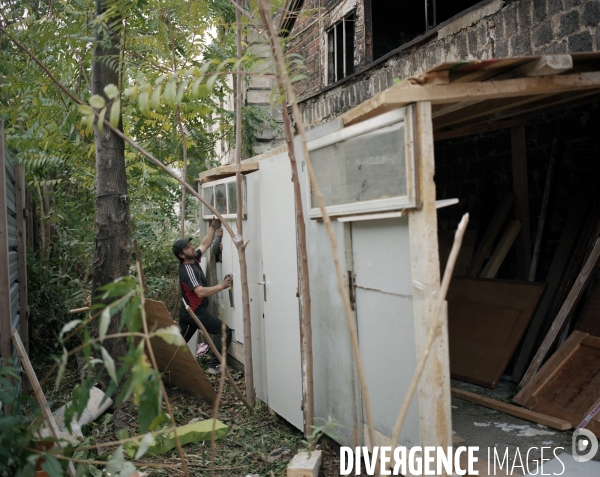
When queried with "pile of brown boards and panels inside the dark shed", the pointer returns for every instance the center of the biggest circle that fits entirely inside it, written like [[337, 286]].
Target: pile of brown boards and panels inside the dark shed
[[543, 335]]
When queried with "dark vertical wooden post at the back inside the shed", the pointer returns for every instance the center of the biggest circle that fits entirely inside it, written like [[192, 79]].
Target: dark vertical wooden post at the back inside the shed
[[520, 187]]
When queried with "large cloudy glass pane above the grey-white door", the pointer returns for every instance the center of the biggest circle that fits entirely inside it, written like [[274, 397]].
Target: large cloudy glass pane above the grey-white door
[[365, 167]]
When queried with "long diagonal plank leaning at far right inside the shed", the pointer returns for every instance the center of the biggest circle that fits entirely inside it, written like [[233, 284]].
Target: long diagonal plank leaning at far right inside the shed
[[577, 214]]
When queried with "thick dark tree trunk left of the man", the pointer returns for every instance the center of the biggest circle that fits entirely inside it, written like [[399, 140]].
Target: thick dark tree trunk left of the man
[[112, 248]]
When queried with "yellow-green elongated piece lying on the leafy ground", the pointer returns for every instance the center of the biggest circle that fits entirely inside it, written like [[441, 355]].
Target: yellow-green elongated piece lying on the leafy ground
[[193, 432]]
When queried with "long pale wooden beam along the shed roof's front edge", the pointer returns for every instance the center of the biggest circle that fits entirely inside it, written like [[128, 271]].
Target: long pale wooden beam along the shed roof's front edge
[[396, 97]]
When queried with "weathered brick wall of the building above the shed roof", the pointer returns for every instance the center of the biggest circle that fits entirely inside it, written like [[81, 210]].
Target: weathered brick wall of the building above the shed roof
[[498, 29]]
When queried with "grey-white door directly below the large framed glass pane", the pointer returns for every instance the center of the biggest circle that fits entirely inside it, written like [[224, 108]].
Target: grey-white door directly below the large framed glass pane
[[384, 312]]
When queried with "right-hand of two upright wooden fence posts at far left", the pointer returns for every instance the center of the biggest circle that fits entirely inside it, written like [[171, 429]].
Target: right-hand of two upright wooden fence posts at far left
[[22, 255]]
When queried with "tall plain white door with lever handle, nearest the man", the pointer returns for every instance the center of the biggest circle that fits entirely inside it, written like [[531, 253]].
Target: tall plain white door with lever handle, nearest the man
[[281, 315]]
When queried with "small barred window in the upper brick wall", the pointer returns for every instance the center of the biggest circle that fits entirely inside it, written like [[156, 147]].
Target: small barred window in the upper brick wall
[[340, 49]]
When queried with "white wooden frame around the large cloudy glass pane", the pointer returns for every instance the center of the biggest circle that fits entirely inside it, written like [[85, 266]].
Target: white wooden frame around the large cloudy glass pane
[[410, 200]]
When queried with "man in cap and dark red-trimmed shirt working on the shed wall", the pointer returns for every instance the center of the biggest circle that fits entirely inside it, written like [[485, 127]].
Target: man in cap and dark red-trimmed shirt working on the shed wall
[[195, 292]]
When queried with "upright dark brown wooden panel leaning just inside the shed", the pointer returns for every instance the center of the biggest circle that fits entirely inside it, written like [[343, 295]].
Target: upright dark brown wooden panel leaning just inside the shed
[[487, 319]]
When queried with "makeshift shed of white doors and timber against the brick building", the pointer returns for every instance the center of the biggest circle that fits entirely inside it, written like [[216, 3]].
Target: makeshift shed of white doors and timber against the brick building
[[387, 228]]
